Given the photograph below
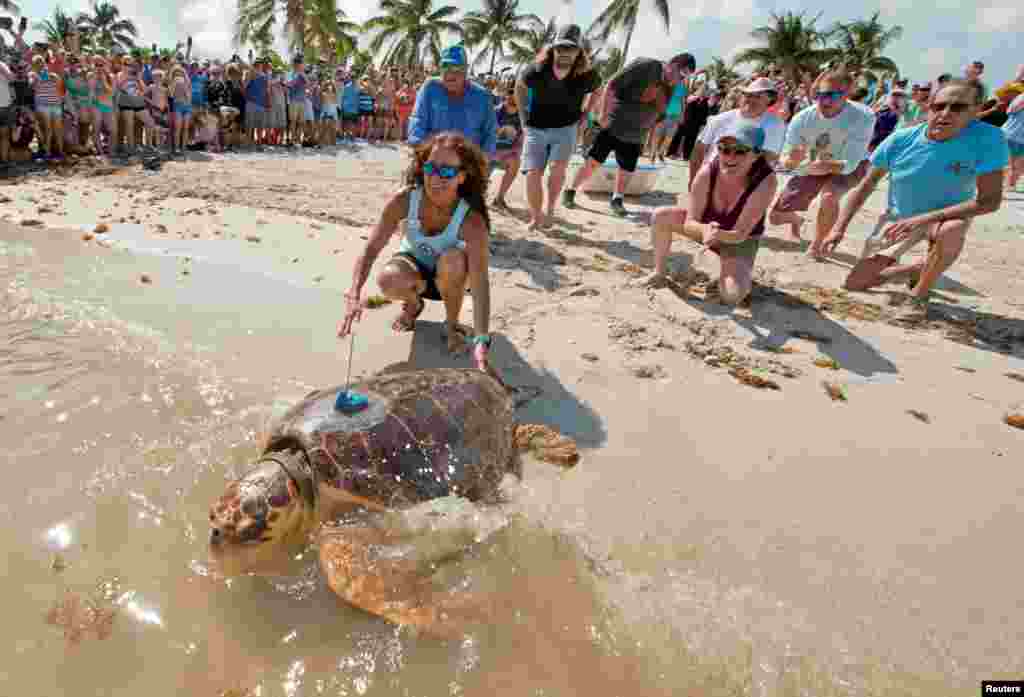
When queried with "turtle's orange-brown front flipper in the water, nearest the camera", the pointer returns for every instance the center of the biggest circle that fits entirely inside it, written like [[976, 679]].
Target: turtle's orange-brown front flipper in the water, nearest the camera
[[359, 569]]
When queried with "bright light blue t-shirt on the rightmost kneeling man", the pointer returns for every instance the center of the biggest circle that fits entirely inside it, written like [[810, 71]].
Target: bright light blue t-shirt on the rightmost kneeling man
[[928, 176]]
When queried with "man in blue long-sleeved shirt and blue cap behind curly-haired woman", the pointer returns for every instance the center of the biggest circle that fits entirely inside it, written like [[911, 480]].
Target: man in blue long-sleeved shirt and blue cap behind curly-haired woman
[[454, 104]]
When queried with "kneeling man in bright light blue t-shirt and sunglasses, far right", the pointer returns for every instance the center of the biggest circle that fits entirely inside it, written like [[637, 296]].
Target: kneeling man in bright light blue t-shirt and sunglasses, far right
[[945, 173]]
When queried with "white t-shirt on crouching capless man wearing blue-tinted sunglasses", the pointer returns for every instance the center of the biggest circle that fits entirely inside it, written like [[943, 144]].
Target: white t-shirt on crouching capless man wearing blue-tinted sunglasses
[[843, 138]]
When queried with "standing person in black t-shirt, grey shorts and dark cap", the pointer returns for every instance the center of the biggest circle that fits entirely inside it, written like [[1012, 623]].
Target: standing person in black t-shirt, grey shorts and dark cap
[[551, 95]]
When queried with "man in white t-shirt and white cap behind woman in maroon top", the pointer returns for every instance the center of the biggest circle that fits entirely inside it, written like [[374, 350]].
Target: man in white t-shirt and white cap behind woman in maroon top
[[754, 103]]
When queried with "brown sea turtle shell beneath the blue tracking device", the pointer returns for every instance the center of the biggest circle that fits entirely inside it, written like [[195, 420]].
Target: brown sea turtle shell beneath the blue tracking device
[[424, 434]]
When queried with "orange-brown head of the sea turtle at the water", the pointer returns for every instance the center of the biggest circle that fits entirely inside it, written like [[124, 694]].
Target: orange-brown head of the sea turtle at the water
[[266, 515]]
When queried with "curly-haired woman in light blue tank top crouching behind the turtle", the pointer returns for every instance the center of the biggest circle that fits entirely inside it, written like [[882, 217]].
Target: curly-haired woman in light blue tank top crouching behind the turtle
[[445, 226]]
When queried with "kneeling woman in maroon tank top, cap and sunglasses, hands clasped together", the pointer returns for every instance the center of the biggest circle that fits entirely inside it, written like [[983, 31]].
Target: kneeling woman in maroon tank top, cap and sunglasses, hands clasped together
[[729, 202]]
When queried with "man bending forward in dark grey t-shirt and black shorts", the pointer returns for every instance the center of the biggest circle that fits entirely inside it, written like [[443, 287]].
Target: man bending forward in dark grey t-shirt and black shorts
[[632, 103]]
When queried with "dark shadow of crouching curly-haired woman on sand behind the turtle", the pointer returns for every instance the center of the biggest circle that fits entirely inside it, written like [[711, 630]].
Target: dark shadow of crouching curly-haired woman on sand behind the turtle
[[540, 395]]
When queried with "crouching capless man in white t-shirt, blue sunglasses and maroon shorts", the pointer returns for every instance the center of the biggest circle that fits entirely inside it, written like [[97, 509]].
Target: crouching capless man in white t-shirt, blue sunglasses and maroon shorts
[[834, 136]]
